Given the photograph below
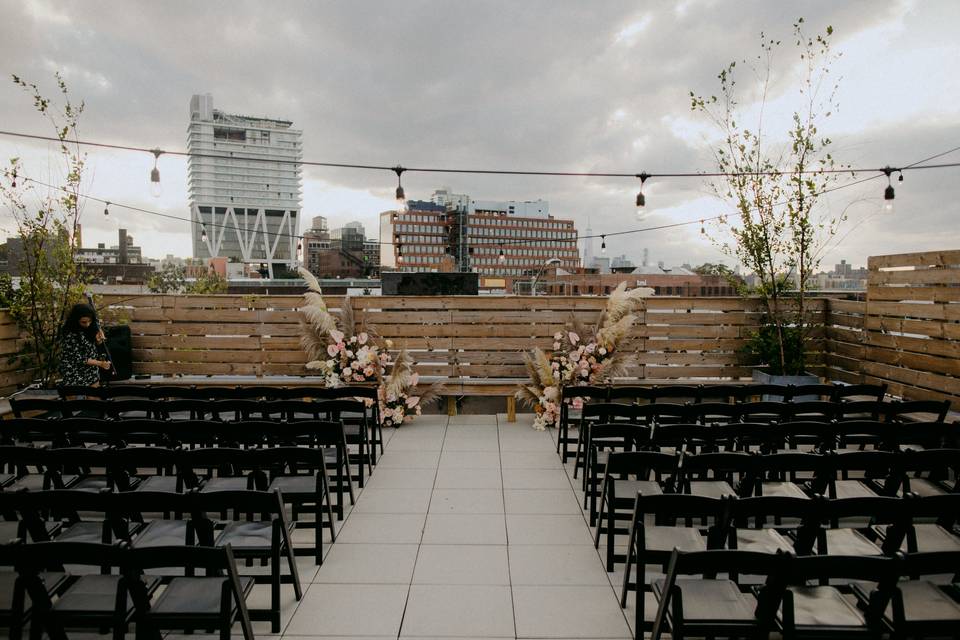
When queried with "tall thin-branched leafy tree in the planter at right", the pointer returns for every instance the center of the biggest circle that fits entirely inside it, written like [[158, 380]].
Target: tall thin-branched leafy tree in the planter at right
[[780, 232]]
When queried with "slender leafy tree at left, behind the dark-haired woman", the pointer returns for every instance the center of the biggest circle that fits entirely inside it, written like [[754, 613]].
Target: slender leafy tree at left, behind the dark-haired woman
[[46, 220]]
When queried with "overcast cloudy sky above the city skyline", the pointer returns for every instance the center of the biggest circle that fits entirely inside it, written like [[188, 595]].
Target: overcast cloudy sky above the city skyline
[[528, 85]]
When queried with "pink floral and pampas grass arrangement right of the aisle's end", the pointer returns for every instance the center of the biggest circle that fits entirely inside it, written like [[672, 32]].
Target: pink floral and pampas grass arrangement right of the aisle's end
[[579, 361]]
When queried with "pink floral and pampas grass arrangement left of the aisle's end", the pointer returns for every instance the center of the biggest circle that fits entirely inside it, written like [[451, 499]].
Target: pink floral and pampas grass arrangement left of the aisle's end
[[343, 357]]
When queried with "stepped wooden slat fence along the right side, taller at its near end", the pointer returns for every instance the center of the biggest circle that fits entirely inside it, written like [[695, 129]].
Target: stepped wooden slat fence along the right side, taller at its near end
[[907, 333]]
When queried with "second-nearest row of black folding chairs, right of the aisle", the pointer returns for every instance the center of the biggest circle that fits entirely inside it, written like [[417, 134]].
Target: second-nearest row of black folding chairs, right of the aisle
[[863, 527]]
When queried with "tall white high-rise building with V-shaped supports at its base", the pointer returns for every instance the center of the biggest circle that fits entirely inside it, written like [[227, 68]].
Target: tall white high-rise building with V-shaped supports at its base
[[244, 179]]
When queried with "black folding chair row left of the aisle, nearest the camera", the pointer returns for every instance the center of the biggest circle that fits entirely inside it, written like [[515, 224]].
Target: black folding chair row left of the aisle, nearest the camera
[[56, 586]]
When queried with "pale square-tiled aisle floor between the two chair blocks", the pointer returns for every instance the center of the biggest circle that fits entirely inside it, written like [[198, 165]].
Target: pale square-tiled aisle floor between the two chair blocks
[[470, 527]]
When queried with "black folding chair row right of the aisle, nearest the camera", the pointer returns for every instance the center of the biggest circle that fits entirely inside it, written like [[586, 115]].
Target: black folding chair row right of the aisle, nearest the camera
[[905, 596]]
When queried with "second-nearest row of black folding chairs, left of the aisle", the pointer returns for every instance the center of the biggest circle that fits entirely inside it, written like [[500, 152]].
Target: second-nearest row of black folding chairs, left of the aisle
[[254, 523]]
